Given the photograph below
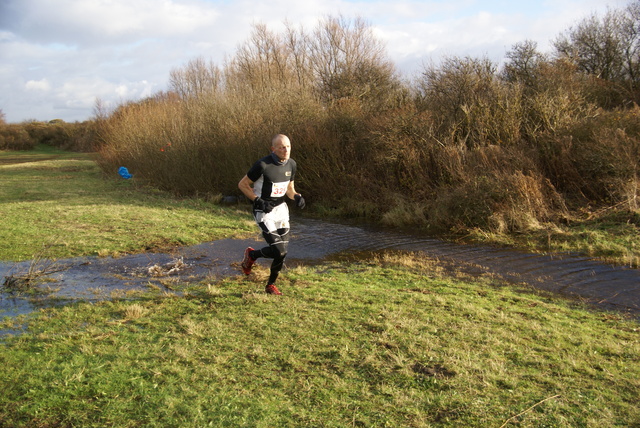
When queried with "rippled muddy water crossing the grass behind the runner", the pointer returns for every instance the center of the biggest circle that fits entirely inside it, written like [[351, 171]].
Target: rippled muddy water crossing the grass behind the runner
[[312, 241]]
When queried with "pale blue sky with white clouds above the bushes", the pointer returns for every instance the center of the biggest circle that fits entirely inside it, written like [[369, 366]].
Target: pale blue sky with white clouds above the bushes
[[57, 57]]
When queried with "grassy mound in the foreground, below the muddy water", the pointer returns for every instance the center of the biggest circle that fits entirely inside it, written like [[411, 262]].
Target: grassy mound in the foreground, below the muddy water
[[393, 342]]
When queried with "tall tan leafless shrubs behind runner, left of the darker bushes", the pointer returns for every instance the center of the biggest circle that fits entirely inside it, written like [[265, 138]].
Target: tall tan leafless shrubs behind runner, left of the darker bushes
[[321, 92]]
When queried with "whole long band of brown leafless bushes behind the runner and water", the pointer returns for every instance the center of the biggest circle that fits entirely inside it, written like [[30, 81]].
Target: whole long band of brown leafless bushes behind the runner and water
[[462, 146]]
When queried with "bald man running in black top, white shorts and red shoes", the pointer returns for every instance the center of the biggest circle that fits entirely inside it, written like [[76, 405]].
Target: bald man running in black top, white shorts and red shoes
[[267, 184]]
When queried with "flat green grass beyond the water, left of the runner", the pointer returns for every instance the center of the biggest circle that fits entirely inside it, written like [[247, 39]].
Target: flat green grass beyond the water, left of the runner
[[61, 201]]
